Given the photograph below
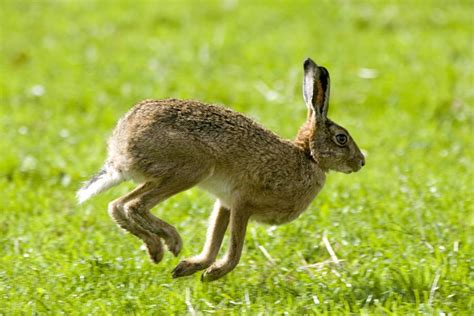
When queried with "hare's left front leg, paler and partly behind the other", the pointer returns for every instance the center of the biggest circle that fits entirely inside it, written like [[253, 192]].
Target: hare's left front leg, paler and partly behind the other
[[218, 223]]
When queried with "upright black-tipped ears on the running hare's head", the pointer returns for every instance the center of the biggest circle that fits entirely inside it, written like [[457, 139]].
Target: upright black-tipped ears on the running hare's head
[[316, 88]]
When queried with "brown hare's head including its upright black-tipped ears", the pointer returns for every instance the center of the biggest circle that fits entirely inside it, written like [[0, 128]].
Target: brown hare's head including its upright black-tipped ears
[[330, 144]]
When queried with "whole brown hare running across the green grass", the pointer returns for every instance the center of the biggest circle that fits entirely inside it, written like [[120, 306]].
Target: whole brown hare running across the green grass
[[171, 145]]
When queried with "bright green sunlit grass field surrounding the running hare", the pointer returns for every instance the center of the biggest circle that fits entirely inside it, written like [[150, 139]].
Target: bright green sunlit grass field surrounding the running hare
[[402, 83]]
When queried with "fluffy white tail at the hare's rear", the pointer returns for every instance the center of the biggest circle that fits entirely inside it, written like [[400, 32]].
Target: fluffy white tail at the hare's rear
[[106, 178]]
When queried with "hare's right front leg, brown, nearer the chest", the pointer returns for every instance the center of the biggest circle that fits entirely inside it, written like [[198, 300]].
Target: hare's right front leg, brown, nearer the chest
[[238, 225]]
